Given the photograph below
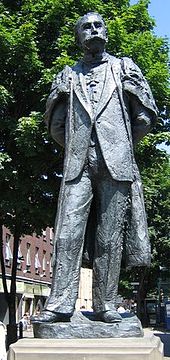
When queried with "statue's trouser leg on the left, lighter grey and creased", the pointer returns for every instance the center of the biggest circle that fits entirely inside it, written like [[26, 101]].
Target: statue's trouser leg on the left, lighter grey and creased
[[69, 236]]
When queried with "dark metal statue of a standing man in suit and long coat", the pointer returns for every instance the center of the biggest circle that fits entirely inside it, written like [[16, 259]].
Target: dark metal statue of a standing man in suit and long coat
[[97, 111]]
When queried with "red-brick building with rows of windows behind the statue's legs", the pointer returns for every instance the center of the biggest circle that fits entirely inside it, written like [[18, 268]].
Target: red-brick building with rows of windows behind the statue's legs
[[34, 274]]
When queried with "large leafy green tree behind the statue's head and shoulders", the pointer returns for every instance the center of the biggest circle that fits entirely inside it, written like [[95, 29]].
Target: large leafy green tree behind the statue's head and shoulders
[[36, 41]]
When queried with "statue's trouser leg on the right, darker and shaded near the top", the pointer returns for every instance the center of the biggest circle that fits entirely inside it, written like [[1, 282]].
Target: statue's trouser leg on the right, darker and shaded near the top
[[111, 204]]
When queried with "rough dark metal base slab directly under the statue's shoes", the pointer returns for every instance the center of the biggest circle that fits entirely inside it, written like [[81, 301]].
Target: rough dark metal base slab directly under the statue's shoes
[[84, 326]]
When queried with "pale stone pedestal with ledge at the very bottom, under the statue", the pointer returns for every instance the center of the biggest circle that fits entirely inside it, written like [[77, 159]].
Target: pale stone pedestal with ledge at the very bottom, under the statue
[[148, 347]]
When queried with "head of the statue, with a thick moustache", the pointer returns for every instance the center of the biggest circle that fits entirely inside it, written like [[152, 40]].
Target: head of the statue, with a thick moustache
[[90, 31]]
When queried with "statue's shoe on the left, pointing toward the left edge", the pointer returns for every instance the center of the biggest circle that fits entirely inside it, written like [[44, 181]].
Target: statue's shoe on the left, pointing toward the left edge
[[50, 317]]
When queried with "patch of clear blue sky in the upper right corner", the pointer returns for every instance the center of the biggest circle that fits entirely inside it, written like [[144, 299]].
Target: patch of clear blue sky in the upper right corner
[[160, 11]]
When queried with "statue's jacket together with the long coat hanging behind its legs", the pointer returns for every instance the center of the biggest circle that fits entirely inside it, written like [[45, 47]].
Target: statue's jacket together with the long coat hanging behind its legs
[[74, 127]]
